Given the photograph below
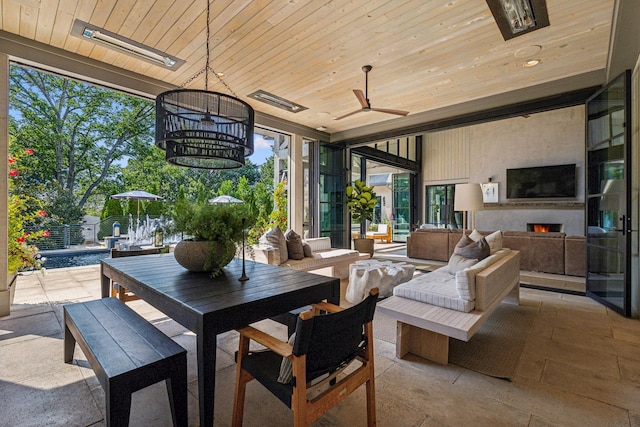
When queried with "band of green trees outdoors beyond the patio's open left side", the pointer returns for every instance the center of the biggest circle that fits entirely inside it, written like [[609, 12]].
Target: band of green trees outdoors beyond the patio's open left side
[[89, 143]]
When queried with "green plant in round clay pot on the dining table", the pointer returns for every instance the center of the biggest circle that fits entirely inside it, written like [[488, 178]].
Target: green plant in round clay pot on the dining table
[[215, 230]]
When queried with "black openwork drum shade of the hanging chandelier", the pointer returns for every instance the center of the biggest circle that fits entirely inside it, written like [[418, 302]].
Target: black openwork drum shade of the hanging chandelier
[[203, 129]]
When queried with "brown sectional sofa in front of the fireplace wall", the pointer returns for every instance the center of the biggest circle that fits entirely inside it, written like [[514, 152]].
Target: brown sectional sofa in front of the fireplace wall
[[546, 252]]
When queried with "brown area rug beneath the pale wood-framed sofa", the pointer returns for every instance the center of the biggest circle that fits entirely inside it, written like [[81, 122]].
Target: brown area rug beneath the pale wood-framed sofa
[[496, 347]]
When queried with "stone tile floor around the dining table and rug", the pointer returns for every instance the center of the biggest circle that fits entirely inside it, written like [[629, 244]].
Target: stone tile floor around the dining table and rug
[[580, 367]]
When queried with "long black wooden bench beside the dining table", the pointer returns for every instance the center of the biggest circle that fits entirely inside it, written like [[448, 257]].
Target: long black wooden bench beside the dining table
[[127, 353]]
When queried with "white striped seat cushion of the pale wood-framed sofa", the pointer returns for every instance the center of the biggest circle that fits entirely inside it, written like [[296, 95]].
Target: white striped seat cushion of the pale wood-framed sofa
[[436, 288]]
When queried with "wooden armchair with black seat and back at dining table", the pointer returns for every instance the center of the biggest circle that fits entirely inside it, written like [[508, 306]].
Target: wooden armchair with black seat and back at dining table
[[309, 373]]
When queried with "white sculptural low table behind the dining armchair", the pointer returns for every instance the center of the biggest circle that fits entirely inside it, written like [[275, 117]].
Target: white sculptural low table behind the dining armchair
[[385, 275]]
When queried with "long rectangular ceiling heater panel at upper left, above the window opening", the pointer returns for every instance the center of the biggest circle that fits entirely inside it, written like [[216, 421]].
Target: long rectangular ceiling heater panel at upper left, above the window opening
[[122, 44]]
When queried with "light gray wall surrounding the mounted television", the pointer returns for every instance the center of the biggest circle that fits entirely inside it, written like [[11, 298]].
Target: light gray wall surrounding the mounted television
[[549, 138]]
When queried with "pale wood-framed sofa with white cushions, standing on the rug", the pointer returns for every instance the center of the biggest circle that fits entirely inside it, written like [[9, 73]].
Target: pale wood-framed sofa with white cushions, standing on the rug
[[451, 302]]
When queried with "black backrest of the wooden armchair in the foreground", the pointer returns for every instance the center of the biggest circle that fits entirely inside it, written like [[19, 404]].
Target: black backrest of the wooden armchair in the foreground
[[332, 340]]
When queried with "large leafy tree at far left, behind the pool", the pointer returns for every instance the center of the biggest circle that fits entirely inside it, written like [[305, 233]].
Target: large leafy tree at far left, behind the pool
[[79, 132]]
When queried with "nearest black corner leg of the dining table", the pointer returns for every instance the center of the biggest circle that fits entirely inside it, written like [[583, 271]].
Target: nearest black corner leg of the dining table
[[206, 344]]
